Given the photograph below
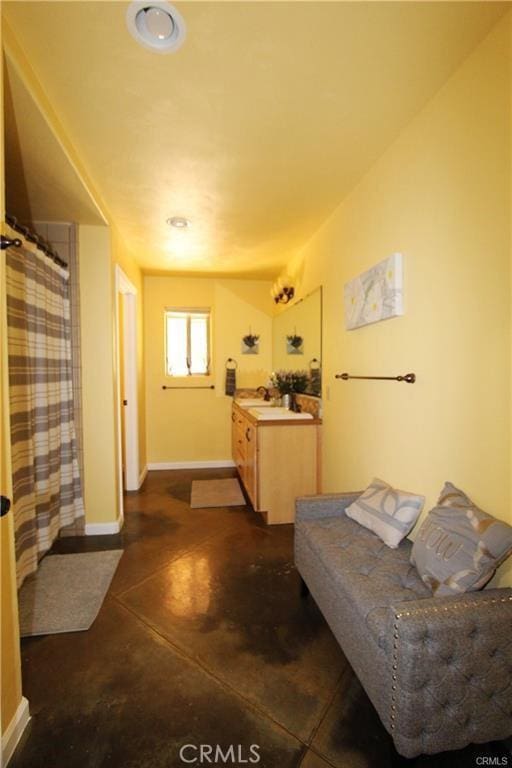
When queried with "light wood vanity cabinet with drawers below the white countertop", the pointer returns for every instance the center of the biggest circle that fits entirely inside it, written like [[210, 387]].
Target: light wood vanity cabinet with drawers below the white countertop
[[276, 461]]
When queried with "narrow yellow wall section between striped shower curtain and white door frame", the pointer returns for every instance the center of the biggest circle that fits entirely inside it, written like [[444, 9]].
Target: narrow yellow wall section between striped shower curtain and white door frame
[[98, 386]]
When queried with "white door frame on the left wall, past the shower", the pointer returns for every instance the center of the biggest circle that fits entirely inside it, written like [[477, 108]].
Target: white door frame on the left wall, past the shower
[[128, 337]]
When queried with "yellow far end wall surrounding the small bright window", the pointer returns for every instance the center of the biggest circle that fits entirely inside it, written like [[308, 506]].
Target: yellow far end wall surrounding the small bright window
[[195, 426]]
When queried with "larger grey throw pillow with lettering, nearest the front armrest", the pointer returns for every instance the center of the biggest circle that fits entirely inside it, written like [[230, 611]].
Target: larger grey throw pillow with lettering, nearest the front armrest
[[458, 546]]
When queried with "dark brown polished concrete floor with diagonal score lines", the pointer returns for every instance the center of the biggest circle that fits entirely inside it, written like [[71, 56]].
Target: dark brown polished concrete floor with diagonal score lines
[[203, 639]]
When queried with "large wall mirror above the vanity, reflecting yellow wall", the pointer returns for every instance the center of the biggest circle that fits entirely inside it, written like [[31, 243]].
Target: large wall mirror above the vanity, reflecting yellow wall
[[297, 338]]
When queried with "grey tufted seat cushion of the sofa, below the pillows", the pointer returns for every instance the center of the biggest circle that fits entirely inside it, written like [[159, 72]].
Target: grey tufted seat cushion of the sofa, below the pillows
[[368, 573]]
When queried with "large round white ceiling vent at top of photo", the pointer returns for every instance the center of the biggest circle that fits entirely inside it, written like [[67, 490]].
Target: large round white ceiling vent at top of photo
[[156, 25]]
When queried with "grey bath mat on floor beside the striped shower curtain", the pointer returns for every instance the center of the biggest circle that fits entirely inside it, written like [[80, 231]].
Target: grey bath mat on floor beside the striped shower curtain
[[66, 593]]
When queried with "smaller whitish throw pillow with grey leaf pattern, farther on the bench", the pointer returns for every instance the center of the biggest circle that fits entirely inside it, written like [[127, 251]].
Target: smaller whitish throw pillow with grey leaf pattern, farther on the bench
[[388, 512]]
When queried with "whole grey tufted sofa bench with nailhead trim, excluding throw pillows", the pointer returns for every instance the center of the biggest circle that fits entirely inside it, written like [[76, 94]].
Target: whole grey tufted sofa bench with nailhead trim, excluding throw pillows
[[437, 669]]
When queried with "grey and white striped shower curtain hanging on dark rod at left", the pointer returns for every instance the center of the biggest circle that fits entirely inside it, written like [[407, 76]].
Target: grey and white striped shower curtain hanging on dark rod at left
[[47, 490]]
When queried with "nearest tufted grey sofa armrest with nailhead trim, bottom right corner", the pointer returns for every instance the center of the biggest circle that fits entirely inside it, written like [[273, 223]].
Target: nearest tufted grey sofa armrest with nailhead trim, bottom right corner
[[451, 670]]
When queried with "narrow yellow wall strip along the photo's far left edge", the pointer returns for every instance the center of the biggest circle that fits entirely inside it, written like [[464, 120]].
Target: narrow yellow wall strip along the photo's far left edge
[[10, 664]]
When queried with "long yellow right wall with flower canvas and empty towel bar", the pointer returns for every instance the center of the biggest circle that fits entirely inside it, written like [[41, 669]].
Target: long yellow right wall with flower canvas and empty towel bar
[[441, 196]]
